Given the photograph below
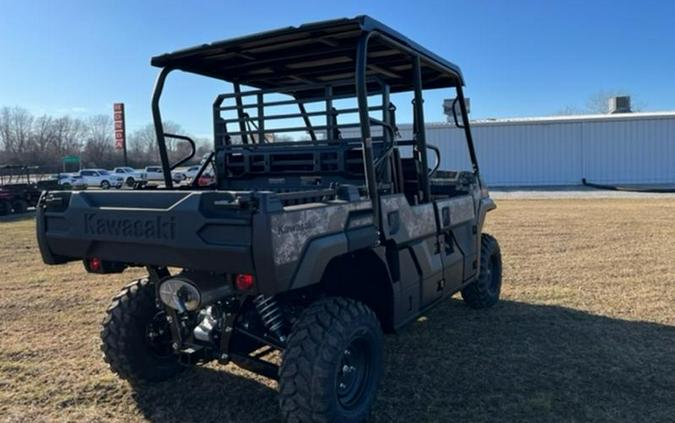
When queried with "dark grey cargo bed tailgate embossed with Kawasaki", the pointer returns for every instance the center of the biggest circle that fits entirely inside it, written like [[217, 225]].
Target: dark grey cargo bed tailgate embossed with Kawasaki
[[209, 230]]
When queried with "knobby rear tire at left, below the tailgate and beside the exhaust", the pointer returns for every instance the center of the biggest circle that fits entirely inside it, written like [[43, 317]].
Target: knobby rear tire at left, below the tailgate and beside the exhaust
[[126, 344]]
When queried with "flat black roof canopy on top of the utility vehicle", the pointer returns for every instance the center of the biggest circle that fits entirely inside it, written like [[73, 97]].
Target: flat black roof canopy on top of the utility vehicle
[[314, 53]]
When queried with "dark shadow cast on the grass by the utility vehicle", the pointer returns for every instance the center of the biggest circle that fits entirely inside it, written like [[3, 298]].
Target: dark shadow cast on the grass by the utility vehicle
[[515, 362]]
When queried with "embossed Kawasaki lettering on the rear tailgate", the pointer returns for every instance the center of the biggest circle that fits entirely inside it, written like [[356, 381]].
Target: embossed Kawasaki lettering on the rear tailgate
[[160, 228]]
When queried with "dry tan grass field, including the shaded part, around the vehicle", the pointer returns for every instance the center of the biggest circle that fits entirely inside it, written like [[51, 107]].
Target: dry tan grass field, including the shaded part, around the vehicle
[[585, 332]]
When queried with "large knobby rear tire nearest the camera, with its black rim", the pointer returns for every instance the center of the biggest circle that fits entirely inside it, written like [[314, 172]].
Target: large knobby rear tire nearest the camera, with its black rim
[[332, 364]]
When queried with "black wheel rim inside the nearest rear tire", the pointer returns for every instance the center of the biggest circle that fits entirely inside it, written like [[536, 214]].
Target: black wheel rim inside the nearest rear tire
[[353, 373]]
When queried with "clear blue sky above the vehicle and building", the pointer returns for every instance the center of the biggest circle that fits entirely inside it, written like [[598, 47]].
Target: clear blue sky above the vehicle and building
[[519, 58]]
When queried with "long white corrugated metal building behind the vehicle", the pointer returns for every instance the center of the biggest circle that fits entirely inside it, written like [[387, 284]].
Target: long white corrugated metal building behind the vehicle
[[627, 148]]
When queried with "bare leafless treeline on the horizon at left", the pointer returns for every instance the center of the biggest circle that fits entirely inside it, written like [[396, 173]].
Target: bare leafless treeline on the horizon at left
[[45, 140]]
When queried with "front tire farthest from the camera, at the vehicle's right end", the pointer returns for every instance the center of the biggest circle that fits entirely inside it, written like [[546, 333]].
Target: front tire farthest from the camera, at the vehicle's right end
[[484, 292]]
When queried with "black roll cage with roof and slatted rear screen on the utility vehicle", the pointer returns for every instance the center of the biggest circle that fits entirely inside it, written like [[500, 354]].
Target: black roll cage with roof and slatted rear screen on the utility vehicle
[[324, 61]]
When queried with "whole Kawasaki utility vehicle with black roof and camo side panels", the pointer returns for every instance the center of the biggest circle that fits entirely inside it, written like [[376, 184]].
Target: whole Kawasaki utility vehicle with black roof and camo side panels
[[312, 248]]
